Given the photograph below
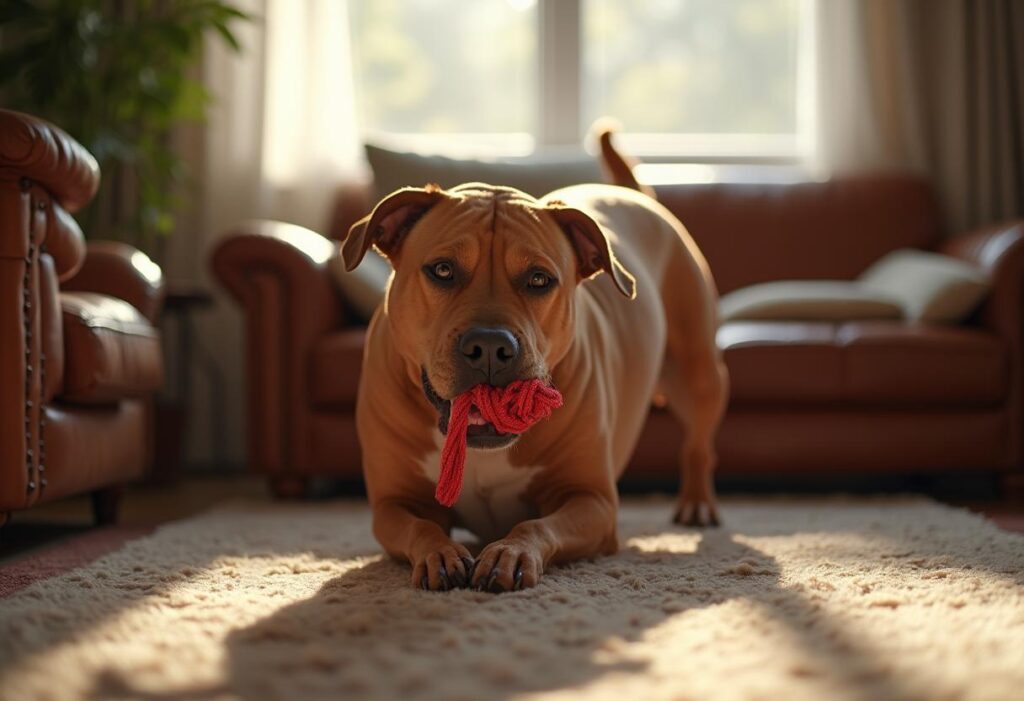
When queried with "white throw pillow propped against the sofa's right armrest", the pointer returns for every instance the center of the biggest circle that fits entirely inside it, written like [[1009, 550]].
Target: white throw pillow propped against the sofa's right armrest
[[930, 287]]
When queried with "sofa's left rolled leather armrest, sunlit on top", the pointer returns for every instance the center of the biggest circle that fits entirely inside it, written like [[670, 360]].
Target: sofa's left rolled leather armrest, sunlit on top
[[278, 274]]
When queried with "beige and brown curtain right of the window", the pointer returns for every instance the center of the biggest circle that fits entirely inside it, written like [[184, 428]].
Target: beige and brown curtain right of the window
[[932, 86]]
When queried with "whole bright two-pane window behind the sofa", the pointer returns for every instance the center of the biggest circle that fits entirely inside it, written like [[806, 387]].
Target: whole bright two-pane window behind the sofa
[[711, 80]]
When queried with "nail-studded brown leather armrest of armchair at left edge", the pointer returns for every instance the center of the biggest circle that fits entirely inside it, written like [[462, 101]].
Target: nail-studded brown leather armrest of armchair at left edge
[[45, 177]]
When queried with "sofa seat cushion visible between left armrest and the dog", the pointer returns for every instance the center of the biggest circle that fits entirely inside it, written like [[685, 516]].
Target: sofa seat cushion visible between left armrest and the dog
[[334, 369]]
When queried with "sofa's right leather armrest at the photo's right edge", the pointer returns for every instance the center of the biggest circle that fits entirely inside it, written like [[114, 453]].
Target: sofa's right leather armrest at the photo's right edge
[[999, 251]]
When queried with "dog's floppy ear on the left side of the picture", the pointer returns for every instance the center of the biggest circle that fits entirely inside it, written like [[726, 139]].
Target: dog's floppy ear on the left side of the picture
[[389, 224]]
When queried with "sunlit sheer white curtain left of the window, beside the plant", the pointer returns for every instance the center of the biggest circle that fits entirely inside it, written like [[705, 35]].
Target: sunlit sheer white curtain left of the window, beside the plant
[[282, 134]]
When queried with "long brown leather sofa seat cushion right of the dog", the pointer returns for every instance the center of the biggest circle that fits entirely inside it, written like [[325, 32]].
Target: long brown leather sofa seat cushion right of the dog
[[881, 364]]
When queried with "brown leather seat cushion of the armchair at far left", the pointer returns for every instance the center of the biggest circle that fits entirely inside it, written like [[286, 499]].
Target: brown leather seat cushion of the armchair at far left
[[111, 350]]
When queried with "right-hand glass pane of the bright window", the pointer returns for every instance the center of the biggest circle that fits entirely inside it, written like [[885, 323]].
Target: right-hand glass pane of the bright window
[[709, 67]]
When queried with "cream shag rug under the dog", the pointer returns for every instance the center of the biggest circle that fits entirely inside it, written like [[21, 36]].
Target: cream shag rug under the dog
[[790, 600]]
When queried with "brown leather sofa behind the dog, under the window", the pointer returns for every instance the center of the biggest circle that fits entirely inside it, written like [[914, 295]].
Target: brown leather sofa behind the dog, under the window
[[855, 398]]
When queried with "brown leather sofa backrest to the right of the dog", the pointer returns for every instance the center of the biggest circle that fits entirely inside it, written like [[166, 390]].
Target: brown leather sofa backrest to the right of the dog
[[809, 231]]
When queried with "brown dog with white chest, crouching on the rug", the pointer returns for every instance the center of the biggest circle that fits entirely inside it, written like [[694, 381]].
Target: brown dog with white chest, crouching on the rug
[[491, 286]]
